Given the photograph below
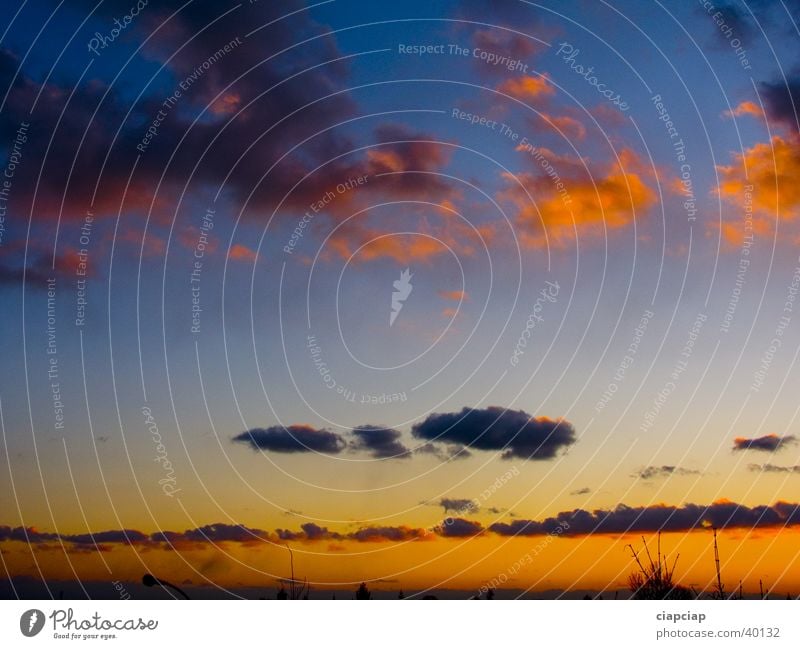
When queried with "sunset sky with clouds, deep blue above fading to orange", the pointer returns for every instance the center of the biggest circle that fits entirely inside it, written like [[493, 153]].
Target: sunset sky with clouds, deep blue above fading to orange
[[437, 295]]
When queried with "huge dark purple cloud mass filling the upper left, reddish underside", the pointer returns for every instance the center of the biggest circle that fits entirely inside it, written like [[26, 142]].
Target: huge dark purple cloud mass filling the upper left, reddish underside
[[255, 108]]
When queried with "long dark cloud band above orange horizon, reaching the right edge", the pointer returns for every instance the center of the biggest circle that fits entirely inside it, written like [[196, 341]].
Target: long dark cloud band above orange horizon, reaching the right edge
[[654, 518]]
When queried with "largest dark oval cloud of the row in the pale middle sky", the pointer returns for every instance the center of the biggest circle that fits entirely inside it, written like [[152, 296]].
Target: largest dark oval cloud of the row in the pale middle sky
[[515, 432]]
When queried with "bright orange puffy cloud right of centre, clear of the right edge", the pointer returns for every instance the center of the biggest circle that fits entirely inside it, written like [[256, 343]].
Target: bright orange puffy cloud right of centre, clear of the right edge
[[558, 200]]
